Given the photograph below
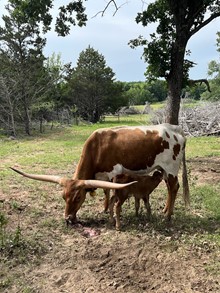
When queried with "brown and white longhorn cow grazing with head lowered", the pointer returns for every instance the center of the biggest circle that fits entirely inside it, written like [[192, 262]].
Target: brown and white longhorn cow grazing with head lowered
[[136, 148]]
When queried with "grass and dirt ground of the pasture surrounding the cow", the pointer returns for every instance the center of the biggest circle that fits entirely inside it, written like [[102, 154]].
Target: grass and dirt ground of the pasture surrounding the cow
[[40, 254]]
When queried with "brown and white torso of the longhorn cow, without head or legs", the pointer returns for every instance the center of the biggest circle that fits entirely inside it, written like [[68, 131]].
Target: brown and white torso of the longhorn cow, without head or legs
[[135, 148]]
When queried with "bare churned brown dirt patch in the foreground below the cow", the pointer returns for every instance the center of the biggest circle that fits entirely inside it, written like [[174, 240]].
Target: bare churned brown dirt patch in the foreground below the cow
[[124, 264]]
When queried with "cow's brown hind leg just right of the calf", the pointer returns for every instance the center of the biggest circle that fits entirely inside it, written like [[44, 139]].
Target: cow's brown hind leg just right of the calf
[[172, 187]]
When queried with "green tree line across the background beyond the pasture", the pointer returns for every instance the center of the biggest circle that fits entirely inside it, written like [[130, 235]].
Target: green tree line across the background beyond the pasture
[[34, 89]]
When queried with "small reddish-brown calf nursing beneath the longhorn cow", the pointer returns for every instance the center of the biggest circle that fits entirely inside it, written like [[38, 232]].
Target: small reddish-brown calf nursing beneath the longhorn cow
[[140, 190]]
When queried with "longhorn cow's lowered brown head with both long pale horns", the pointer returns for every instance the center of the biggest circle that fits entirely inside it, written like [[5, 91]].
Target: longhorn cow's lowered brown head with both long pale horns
[[74, 190]]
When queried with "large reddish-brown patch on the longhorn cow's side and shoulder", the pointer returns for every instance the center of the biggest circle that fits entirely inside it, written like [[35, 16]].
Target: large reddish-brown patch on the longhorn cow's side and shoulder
[[125, 147]]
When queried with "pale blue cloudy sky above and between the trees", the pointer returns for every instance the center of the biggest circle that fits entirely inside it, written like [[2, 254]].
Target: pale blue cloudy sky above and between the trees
[[110, 34]]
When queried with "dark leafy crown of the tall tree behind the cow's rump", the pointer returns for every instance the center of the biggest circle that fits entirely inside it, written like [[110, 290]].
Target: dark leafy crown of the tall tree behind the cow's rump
[[176, 22]]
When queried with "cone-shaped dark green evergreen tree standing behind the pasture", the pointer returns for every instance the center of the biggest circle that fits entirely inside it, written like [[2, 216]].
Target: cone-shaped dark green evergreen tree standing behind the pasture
[[91, 85]]
